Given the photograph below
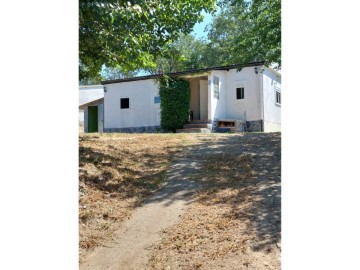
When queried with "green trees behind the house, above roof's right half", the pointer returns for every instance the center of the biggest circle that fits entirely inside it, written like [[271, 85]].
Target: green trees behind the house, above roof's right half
[[243, 31]]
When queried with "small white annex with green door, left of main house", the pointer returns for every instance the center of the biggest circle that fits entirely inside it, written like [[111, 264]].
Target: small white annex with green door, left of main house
[[91, 108]]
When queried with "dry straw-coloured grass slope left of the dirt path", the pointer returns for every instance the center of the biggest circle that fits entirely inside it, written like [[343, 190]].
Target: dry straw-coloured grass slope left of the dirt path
[[116, 173]]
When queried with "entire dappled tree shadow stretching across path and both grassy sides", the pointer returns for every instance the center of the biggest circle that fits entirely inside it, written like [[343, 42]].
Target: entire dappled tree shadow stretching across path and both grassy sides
[[256, 190]]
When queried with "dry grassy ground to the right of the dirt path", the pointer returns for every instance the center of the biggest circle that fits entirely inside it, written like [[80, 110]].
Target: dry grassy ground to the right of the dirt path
[[234, 222]]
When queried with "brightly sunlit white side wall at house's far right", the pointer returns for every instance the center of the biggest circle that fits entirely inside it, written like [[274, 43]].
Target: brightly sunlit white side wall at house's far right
[[272, 111]]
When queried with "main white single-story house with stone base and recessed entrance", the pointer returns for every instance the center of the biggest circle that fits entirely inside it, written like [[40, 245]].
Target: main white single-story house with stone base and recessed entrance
[[221, 97]]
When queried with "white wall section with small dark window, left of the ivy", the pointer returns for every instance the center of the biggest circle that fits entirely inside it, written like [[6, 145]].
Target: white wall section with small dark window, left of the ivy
[[142, 112]]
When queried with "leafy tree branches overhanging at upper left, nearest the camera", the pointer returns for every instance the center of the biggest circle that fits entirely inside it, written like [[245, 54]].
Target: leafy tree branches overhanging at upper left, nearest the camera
[[131, 34]]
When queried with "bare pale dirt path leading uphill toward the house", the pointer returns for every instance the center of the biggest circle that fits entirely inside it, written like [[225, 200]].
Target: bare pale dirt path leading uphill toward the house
[[132, 242]]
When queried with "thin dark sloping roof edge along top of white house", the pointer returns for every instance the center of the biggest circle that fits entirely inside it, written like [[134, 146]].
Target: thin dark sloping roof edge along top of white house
[[147, 77]]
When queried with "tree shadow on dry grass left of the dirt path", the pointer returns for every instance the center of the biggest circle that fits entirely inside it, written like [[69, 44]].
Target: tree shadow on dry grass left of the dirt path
[[115, 177]]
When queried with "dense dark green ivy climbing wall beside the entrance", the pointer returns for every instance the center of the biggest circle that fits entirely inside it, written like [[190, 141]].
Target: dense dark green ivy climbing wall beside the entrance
[[175, 102]]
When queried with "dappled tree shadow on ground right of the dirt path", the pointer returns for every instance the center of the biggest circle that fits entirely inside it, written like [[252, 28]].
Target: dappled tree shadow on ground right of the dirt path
[[255, 193]]
